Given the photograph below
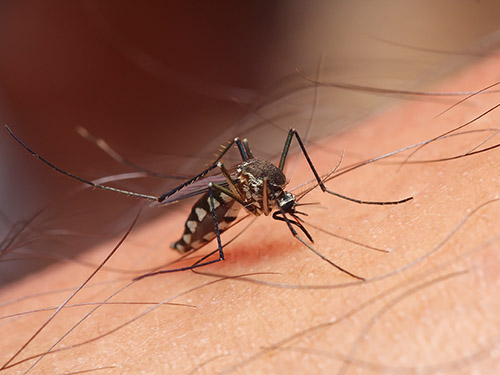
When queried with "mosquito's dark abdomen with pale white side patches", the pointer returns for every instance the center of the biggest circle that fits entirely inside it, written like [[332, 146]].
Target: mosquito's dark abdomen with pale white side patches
[[200, 227]]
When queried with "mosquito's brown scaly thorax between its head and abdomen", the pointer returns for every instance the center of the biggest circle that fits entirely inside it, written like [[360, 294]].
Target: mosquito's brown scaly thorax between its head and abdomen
[[250, 177]]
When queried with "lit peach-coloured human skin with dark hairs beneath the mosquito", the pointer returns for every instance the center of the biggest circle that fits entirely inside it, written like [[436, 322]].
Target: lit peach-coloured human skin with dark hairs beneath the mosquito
[[429, 305]]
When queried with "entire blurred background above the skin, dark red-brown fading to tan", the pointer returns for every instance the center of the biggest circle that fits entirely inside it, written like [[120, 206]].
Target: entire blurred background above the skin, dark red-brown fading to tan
[[158, 79]]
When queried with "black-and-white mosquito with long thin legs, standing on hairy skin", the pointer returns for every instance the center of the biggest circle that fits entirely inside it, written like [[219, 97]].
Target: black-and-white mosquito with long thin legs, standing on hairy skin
[[256, 185]]
